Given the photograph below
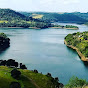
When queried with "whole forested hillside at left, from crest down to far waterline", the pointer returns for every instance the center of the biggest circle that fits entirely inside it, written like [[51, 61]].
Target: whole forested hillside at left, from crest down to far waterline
[[11, 18]]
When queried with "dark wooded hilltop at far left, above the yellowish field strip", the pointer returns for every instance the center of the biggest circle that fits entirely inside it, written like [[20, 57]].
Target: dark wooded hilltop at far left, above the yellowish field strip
[[8, 14]]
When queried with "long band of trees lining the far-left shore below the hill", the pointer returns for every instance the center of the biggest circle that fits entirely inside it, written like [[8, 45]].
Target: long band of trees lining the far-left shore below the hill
[[25, 24]]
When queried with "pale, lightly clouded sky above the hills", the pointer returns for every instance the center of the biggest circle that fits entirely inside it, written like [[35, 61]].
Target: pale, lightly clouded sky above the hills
[[46, 5]]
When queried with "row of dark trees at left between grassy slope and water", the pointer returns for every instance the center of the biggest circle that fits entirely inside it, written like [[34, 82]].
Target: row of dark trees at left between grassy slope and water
[[12, 63]]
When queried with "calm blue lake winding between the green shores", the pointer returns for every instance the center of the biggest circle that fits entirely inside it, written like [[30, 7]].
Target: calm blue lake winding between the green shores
[[44, 50]]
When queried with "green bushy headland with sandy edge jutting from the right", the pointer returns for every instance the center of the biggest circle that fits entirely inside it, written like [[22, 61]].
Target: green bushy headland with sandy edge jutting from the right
[[79, 42]]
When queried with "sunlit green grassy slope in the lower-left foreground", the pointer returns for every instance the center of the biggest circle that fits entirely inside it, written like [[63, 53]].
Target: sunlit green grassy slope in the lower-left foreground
[[28, 79]]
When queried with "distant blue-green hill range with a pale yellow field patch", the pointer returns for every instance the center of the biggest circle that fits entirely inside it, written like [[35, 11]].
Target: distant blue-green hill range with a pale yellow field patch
[[55, 17]]
